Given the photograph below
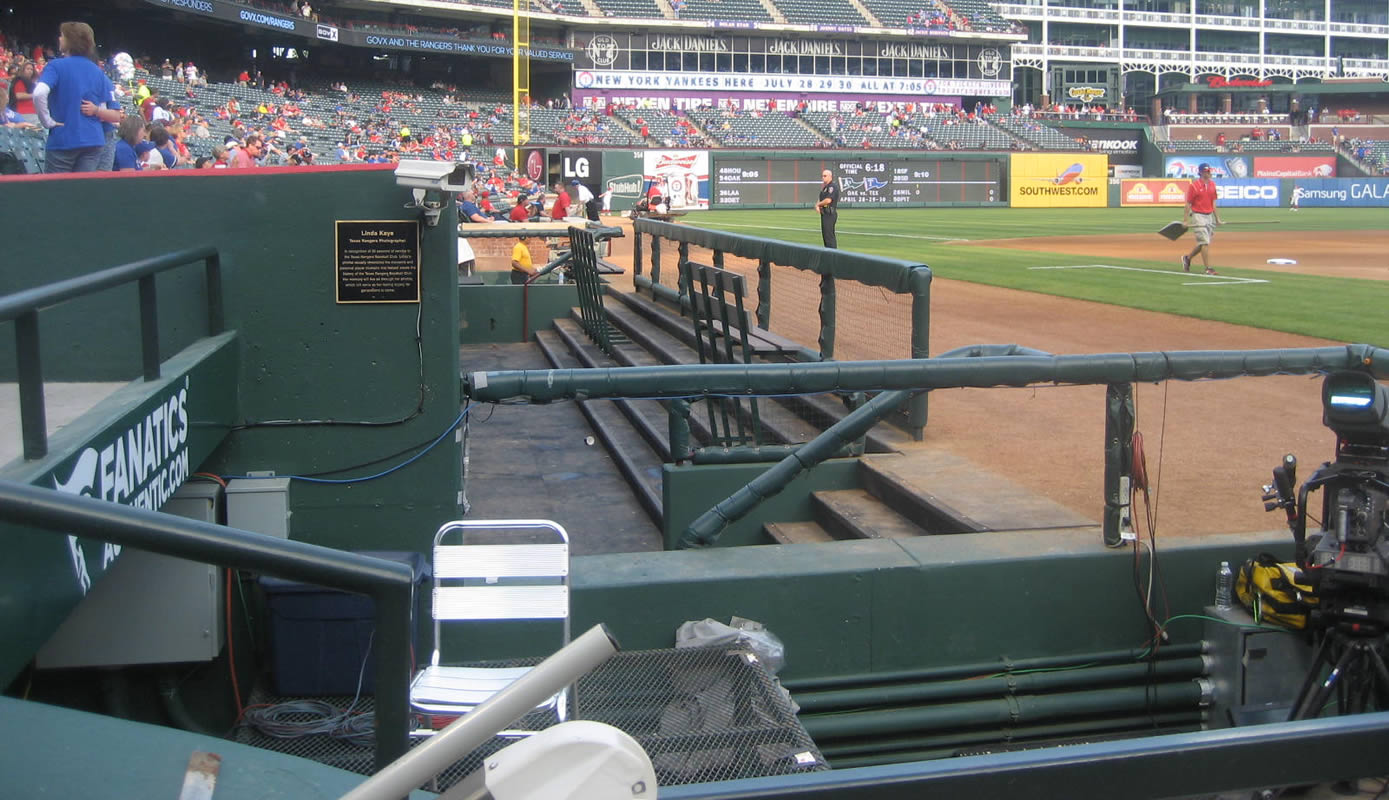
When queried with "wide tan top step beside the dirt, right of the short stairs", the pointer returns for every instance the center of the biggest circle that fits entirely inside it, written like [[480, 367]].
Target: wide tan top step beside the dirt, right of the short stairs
[[945, 494]]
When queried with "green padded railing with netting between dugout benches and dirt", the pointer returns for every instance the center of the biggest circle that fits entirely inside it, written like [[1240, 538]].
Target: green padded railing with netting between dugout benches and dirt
[[891, 274]]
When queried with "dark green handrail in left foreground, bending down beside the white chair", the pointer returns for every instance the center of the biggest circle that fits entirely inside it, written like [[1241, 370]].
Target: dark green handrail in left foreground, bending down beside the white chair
[[388, 583]]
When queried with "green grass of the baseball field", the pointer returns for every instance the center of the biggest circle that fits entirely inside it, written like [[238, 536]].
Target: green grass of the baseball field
[[1337, 309]]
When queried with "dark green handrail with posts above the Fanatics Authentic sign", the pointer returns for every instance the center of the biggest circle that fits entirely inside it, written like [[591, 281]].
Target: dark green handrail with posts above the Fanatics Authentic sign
[[23, 308]]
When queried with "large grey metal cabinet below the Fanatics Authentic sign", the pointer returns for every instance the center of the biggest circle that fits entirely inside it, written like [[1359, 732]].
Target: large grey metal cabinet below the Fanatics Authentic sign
[[148, 609]]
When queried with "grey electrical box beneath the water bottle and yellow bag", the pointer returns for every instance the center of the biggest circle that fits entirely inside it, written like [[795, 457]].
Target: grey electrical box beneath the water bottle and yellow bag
[[1256, 673]]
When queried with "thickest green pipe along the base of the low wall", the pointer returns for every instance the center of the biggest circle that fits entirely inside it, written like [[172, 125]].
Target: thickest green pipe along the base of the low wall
[[1006, 710]]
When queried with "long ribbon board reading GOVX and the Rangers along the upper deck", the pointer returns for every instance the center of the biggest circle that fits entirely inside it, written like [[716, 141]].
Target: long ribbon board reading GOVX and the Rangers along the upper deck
[[309, 30]]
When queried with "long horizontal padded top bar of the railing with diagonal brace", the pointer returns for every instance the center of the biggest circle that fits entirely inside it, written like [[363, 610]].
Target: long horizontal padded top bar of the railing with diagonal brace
[[916, 374]]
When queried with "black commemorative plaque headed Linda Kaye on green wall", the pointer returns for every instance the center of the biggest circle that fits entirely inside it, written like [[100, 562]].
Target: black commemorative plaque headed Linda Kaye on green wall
[[379, 262]]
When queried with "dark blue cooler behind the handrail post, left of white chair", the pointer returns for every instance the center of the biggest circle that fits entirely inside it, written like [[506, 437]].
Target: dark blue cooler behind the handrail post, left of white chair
[[320, 638]]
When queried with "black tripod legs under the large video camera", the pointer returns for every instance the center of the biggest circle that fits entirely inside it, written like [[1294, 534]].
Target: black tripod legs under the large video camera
[[1355, 655]]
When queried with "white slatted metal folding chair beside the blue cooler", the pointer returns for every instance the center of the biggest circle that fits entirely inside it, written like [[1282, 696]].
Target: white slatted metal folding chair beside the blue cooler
[[492, 580]]
